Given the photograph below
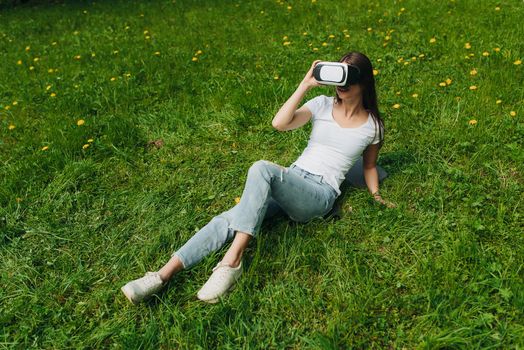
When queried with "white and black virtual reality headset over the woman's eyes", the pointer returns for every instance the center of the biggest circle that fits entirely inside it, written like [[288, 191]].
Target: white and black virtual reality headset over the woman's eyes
[[336, 73]]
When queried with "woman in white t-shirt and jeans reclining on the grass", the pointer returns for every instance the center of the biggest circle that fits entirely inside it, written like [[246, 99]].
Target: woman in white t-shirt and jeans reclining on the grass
[[344, 128]]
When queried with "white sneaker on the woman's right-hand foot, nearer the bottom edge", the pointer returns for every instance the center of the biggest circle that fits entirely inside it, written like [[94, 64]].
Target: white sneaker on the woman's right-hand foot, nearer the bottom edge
[[219, 283]]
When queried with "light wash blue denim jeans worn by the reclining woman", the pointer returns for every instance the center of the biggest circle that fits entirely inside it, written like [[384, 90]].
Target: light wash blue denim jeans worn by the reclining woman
[[270, 189]]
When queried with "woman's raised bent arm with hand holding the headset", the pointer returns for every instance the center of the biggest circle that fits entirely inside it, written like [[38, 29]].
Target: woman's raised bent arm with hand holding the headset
[[288, 116]]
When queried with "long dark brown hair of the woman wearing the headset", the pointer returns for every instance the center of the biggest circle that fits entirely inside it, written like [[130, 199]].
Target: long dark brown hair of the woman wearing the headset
[[367, 84]]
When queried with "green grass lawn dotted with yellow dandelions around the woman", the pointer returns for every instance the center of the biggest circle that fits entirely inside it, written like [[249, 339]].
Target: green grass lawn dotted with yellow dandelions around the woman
[[443, 270]]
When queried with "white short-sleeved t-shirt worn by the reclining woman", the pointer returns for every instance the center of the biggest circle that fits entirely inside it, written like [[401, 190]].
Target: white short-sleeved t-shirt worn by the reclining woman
[[332, 150]]
